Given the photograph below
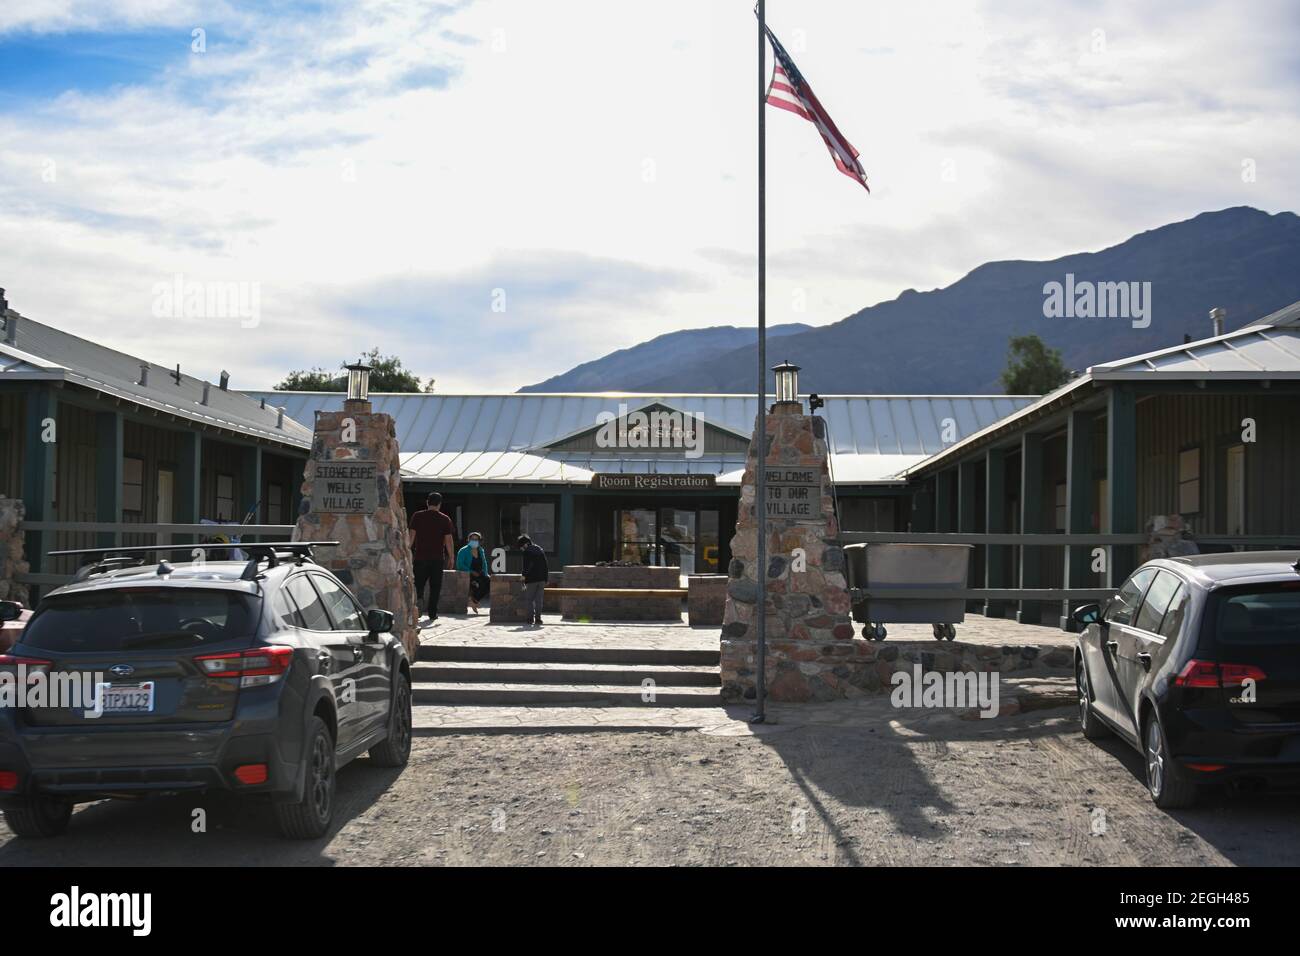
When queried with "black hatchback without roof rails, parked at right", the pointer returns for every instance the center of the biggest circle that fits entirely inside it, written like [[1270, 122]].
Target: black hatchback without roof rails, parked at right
[[1197, 663]]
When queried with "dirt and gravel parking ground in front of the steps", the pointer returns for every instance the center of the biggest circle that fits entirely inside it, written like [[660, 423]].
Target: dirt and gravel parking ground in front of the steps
[[1022, 790]]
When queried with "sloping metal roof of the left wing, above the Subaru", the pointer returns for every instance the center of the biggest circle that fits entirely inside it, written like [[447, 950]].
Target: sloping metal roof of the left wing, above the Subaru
[[44, 353]]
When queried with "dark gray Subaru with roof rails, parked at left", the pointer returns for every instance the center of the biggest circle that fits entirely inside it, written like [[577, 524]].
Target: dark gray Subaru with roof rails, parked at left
[[261, 678]]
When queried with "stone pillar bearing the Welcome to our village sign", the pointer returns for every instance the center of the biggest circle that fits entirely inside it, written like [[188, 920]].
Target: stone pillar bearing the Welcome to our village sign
[[812, 652]]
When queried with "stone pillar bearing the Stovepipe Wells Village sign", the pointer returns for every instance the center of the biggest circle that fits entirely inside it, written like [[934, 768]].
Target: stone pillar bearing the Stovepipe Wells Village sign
[[353, 495]]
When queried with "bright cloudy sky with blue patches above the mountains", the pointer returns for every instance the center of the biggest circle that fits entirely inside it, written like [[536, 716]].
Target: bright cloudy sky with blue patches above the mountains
[[500, 189]]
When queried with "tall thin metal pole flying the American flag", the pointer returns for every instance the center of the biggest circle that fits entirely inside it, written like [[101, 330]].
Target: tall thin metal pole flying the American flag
[[761, 435]]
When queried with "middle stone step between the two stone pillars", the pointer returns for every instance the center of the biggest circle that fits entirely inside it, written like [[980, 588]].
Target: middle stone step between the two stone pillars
[[558, 673]]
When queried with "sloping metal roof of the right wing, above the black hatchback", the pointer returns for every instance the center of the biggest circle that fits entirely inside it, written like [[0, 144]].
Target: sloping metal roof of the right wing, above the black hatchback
[[1268, 349]]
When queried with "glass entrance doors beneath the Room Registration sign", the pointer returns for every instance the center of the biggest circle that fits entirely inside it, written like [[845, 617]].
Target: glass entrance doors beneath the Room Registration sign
[[669, 537]]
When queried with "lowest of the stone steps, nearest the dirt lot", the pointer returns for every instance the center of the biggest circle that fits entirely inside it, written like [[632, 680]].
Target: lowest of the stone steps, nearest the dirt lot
[[554, 695]]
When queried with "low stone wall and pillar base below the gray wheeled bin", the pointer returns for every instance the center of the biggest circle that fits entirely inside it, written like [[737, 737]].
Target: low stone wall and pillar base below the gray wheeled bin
[[804, 672]]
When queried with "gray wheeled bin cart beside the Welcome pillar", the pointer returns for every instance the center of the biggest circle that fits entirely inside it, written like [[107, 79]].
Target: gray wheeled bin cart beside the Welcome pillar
[[921, 568]]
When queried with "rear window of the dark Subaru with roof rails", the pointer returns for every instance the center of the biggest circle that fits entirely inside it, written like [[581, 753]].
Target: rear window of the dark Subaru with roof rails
[[135, 618]]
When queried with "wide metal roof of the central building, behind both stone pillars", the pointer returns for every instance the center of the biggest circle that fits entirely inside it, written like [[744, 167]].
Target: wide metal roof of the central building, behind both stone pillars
[[506, 438]]
